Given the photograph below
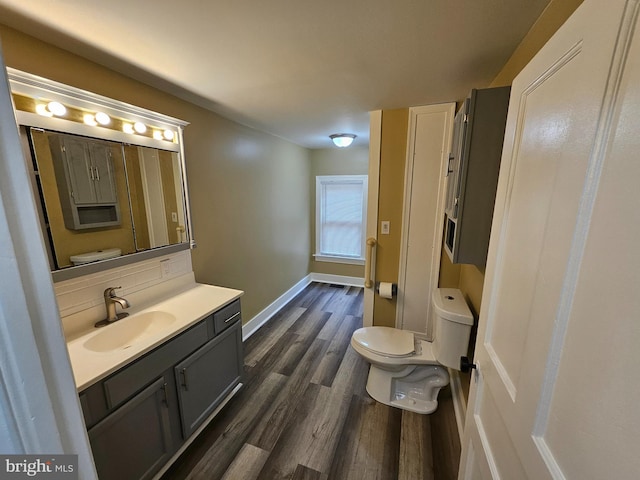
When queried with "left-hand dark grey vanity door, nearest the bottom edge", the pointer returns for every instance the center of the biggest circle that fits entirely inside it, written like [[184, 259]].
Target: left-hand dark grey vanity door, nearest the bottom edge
[[134, 442]]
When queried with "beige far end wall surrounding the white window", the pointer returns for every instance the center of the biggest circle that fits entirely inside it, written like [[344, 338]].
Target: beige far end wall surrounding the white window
[[335, 161]]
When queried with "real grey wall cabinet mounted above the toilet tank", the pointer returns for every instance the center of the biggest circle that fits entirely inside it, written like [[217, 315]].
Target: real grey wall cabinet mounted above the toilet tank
[[472, 180]]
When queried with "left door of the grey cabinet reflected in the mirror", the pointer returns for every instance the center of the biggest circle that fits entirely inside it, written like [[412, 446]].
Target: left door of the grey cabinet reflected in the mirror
[[81, 175]]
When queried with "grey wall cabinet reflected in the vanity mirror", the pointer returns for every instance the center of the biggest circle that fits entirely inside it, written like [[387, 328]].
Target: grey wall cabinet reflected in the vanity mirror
[[86, 182]]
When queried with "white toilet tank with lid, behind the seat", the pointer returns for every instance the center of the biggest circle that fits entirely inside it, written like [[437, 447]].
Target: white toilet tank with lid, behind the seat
[[452, 326]]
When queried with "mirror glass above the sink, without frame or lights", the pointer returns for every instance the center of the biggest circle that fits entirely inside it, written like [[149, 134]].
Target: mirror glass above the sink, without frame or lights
[[101, 199]]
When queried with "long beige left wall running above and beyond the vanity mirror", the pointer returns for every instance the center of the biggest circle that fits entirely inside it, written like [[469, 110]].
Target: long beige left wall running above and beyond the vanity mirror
[[249, 190]]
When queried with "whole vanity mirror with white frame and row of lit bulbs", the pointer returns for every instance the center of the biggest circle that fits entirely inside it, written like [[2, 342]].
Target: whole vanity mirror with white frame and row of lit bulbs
[[108, 176]]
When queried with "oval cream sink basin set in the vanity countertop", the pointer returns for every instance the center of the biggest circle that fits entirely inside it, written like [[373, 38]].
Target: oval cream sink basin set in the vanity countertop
[[126, 332]]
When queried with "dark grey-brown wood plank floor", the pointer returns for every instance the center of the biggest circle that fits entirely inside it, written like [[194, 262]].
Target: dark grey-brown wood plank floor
[[304, 413]]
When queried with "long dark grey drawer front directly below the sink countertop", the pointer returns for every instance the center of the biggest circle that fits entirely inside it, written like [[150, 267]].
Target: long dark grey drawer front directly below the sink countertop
[[124, 384]]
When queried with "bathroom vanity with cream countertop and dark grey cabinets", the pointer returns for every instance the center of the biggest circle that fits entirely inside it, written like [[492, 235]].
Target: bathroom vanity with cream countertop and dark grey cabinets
[[146, 388]]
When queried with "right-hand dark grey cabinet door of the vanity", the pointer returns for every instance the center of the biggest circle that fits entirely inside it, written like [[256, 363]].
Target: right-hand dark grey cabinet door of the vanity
[[207, 376]]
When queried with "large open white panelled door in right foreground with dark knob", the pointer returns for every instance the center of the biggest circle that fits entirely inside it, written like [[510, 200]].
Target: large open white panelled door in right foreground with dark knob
[[556, 390]]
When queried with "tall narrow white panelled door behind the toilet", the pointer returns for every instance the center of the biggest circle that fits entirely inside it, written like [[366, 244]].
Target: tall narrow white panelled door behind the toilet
[[430, 130]]
